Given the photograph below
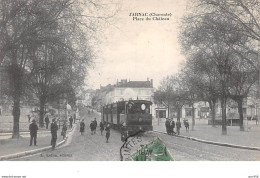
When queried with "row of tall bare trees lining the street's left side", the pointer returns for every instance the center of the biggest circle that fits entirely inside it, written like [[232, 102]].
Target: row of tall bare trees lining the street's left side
[[46, 48]]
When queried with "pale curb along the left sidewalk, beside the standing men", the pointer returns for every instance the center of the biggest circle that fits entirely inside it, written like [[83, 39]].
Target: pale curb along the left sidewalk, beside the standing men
[[31, 152]]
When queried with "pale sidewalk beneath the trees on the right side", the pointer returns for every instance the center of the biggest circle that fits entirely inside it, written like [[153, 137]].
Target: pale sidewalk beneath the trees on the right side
[[249, 138]]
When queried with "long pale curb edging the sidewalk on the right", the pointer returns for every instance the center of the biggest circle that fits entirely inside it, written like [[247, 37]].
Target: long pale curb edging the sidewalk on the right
[[212, 143]]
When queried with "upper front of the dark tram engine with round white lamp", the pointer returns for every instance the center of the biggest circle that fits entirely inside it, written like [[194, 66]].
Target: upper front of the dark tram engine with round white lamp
[[138, 108]]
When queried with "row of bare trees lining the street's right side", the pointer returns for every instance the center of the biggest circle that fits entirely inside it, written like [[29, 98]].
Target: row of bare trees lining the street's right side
[[220, 40]]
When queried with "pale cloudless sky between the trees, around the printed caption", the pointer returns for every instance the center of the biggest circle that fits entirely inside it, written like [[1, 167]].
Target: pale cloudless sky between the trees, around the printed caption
[[137, 50]]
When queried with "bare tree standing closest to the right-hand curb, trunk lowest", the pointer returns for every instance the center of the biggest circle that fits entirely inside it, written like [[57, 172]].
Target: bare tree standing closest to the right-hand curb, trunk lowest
[[217, 36]]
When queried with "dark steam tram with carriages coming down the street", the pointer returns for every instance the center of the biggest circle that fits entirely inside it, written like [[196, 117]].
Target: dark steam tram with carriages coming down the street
[[130, 116]]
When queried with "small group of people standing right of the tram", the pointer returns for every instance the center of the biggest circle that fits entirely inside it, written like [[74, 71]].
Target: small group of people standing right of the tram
[[170, 126]]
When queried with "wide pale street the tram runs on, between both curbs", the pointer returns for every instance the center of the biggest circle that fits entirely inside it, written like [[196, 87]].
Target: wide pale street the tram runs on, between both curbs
[[89, 147]]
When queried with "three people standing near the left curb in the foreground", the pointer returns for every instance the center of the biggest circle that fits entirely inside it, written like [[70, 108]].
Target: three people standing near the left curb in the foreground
[[54, 129]]
